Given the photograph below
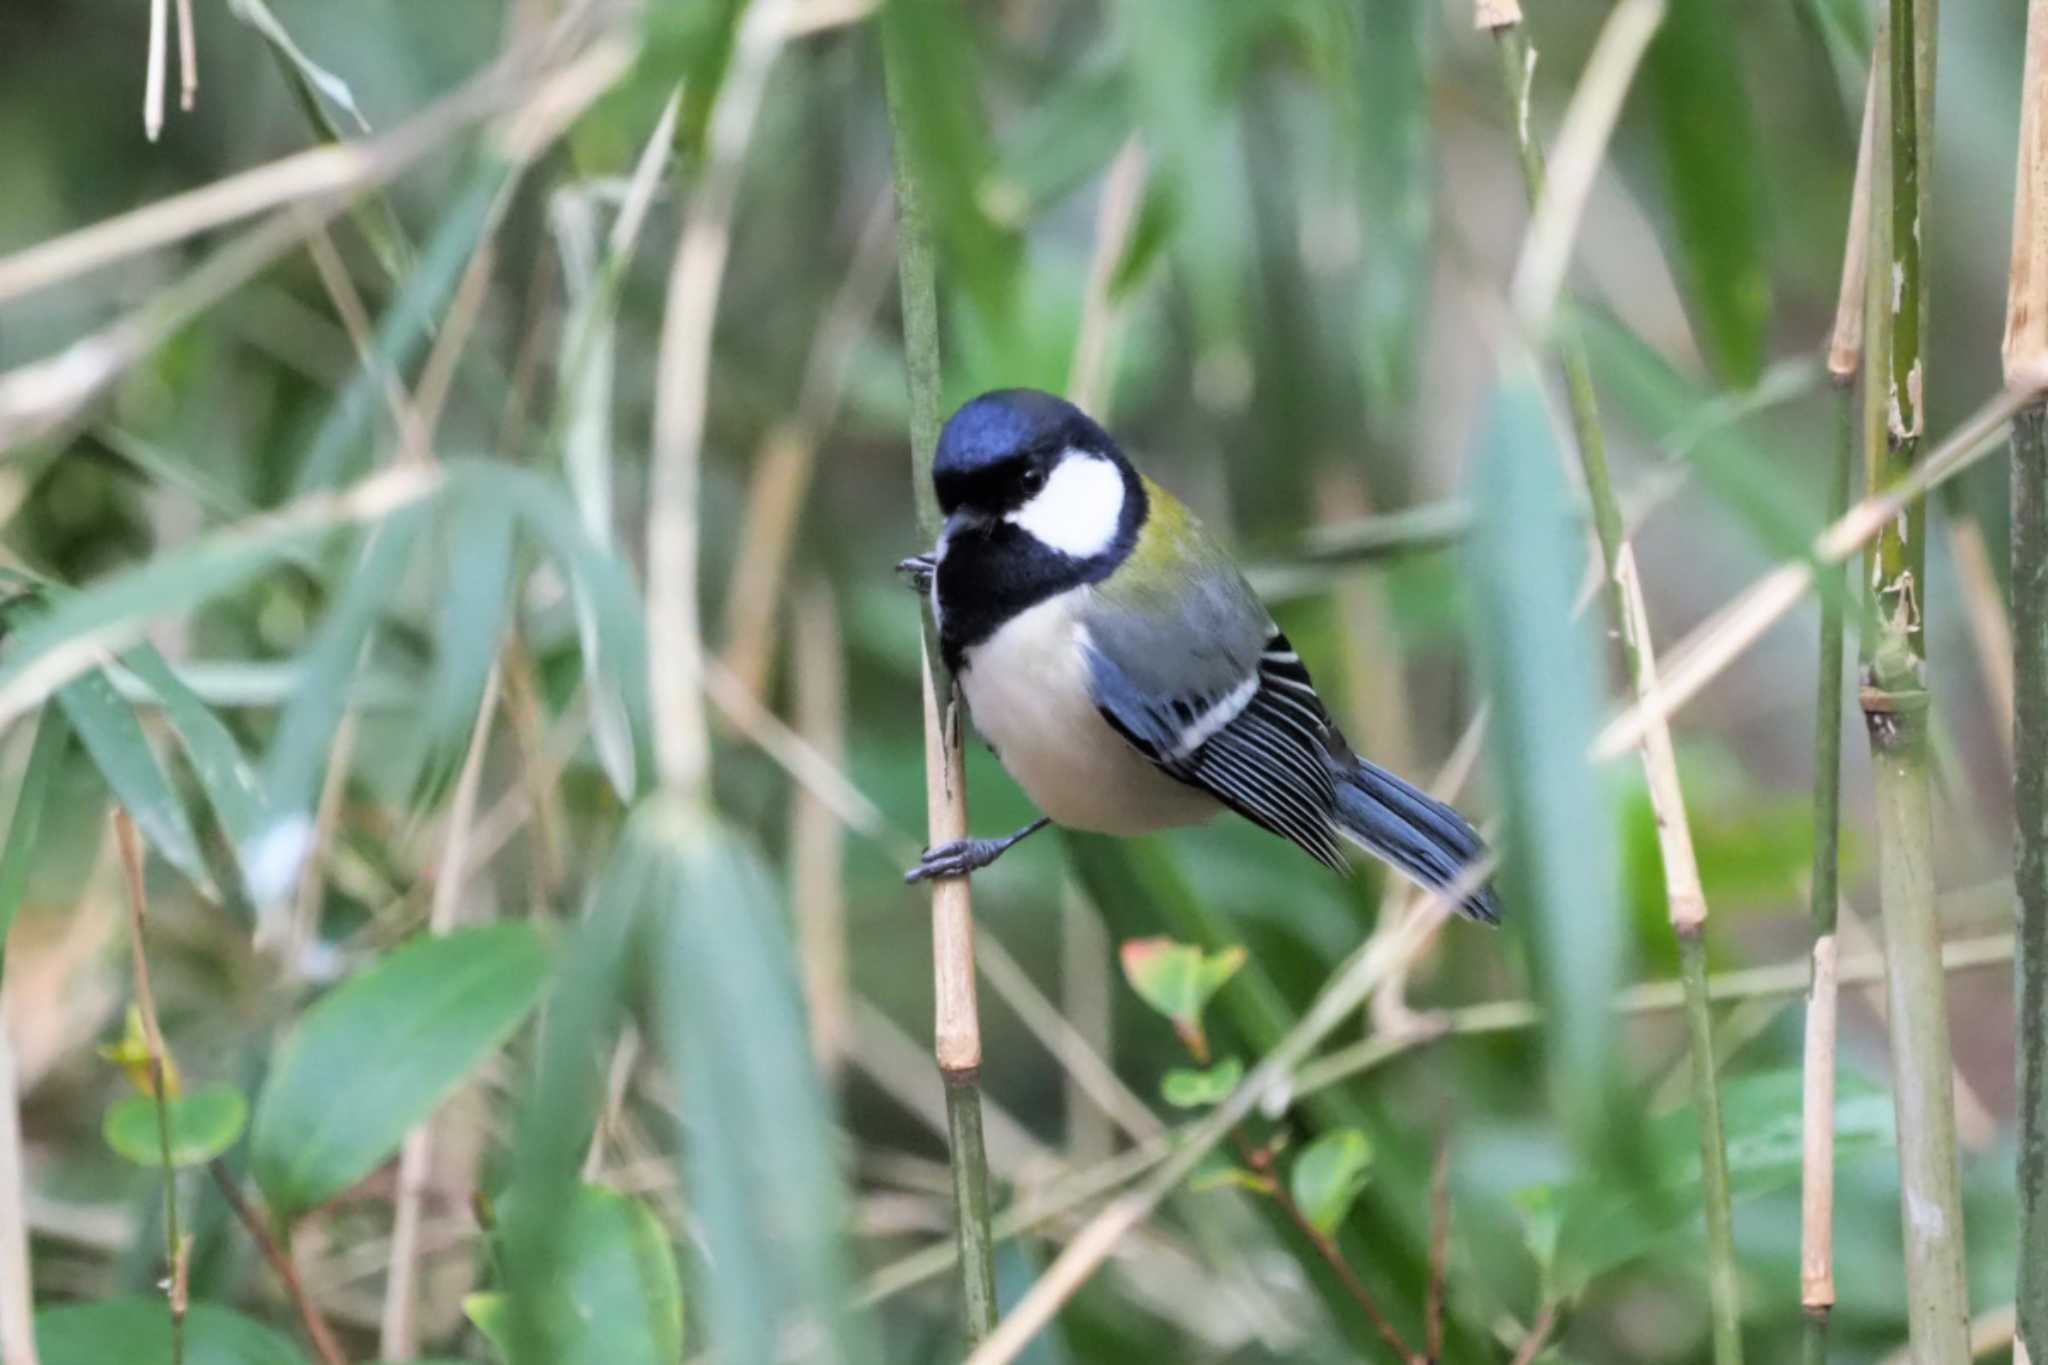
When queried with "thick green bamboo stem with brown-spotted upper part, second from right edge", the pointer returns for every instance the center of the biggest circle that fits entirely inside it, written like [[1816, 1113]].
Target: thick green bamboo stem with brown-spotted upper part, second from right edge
[[1895, 711]]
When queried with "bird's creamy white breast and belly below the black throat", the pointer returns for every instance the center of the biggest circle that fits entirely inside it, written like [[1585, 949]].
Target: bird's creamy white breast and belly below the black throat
[[1027, 689]]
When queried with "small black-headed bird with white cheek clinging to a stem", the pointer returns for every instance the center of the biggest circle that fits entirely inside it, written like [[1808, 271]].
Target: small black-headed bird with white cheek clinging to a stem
[[1123, 670]]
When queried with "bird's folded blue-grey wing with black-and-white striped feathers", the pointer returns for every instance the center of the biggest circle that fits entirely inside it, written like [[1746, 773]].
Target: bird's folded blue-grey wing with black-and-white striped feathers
[[1215, 697]]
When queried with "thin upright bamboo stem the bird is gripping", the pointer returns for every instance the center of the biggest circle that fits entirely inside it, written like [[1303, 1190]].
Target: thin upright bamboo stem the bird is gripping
[[957, 1024]]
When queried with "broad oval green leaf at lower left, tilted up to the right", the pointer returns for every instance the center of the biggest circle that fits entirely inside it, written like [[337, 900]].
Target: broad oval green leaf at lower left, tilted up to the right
[[382, 1051]]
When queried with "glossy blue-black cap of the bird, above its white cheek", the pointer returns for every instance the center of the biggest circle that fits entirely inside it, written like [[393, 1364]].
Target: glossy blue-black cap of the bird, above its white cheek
[[1002, 449]]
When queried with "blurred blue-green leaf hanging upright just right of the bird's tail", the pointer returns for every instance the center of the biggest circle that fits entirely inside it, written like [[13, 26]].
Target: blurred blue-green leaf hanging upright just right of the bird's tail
[[1560, 858]]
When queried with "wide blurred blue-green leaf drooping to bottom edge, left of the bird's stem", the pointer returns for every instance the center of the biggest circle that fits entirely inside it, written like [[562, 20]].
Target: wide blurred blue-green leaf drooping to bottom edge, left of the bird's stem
[[759, 1163]]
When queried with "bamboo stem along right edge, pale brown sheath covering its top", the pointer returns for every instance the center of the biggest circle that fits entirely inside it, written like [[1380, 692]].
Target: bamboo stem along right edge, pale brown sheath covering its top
[[2026, 367]]
